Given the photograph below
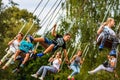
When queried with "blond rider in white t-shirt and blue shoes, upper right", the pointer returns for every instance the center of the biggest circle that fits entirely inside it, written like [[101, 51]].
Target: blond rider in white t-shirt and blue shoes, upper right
[[105, 32]]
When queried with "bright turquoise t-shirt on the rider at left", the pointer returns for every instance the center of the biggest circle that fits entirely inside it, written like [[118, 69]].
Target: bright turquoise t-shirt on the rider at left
[[25, 46]]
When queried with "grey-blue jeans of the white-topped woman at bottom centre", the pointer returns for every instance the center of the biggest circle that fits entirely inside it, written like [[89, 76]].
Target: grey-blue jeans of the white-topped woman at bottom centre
[[44, 69]]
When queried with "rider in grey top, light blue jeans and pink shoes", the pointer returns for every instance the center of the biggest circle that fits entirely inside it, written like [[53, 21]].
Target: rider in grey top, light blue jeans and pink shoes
[[76, 61]]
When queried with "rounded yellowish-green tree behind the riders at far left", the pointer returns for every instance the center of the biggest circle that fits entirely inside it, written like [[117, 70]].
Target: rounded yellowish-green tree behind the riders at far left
[[11, 20]]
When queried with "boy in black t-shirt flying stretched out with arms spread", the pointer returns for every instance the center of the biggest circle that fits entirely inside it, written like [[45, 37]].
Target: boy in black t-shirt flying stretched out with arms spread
[[53, 45]]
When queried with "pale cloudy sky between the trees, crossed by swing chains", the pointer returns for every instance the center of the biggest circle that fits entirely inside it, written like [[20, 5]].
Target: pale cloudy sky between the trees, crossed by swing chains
[[30, 5]]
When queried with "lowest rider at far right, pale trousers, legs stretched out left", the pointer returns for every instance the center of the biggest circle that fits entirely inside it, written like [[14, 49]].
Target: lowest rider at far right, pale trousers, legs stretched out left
[[108, 65]]
